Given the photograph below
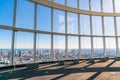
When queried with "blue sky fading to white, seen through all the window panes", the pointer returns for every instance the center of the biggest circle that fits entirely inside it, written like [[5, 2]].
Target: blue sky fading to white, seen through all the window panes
[[25, 19]]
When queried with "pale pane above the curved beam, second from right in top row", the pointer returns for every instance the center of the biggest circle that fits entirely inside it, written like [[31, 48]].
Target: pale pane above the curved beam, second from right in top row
[[107, 5]]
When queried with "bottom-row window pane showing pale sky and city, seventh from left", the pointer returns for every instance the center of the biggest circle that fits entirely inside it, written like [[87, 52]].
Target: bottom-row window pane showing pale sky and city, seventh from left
[[98, 47]]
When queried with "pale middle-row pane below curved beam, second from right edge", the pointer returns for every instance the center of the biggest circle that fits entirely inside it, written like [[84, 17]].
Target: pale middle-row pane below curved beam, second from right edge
[[109, 26]]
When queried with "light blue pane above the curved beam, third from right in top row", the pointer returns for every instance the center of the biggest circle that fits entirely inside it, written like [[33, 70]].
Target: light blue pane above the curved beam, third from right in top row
[[96, 5]]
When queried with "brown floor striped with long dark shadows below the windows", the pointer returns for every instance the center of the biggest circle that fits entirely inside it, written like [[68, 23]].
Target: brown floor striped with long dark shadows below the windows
[[109, 70]]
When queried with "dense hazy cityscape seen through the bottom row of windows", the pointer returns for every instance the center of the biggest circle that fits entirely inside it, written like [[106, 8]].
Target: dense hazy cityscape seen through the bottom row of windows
[[22, 56]]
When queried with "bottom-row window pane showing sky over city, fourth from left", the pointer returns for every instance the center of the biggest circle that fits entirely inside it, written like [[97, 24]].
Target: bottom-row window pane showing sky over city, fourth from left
[[59, 47]]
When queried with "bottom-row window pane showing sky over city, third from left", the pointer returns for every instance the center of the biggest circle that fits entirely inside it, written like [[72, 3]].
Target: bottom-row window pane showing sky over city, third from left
[[43, 48]]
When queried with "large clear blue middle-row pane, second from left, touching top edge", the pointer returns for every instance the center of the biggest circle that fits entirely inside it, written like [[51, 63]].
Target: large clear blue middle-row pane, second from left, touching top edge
[[25, 14]]
